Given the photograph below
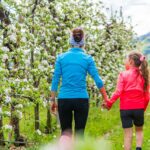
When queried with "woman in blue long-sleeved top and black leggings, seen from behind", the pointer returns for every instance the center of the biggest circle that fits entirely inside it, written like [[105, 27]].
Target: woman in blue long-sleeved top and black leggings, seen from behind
[[73, 99]]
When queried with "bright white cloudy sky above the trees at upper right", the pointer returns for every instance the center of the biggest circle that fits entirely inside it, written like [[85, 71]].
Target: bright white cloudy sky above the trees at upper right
[[138, 10]]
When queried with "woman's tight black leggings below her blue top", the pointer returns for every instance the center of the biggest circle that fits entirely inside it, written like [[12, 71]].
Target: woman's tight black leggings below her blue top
[[70, 109]]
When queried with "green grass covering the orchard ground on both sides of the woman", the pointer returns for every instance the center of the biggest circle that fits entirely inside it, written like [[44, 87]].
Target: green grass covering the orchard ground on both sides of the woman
[[102, 127]]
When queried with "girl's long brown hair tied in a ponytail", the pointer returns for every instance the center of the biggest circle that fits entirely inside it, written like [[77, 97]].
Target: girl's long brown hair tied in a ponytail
[[143, 66]]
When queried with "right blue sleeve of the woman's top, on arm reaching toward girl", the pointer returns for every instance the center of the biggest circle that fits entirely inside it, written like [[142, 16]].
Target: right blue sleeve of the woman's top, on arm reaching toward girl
[[92, 70]]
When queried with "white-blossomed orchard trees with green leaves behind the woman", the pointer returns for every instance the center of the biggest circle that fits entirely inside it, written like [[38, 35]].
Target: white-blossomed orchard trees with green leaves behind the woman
[[33, 33]]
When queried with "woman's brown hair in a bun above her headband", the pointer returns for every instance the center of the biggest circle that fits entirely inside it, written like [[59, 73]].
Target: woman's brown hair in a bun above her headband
[[78, 34]]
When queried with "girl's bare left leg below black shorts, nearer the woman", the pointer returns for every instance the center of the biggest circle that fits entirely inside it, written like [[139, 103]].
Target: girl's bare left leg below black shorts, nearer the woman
[[128, 132]]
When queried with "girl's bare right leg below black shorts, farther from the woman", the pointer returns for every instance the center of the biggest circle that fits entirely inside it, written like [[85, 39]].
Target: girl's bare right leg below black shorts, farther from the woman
[[139, 137]]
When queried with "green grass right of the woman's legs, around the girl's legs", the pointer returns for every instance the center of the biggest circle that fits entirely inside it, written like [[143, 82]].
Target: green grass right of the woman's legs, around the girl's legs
[[108, 125]]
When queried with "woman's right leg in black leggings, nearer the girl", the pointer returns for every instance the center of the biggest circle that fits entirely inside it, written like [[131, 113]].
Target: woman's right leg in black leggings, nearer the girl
[[81, 109]]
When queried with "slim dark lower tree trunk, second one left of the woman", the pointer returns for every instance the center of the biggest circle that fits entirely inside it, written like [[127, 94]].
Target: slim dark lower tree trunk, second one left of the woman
[[36, 113]]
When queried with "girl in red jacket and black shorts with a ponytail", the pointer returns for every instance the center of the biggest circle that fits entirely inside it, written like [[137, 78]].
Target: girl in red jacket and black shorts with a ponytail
[[132, 89]]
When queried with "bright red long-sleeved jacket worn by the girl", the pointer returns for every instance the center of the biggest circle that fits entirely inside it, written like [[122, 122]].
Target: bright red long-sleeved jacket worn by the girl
[[130, 90]]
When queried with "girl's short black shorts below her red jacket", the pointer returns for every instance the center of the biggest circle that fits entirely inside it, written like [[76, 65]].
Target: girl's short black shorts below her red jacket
[[130, 117]]
